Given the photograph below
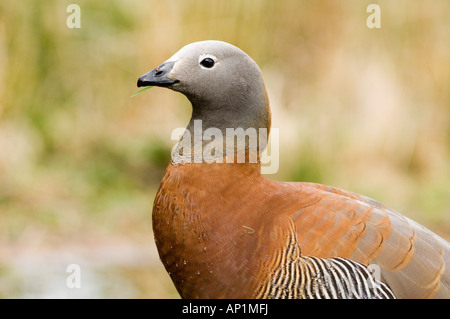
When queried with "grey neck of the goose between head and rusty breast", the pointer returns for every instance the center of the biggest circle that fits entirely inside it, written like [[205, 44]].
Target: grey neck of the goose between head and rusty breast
[[221, 133]]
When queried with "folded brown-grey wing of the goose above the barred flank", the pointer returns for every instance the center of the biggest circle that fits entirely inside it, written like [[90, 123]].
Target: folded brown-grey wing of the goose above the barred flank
[[412, 259]]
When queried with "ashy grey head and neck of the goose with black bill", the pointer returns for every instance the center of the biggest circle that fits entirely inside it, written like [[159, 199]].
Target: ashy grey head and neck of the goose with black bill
[[225, 88]]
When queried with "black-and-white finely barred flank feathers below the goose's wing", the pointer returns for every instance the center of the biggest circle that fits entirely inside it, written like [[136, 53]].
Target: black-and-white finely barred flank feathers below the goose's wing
[[319, 278]]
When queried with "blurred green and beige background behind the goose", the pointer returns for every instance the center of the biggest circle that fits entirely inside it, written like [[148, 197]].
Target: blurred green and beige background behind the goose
[[366, 110]]
